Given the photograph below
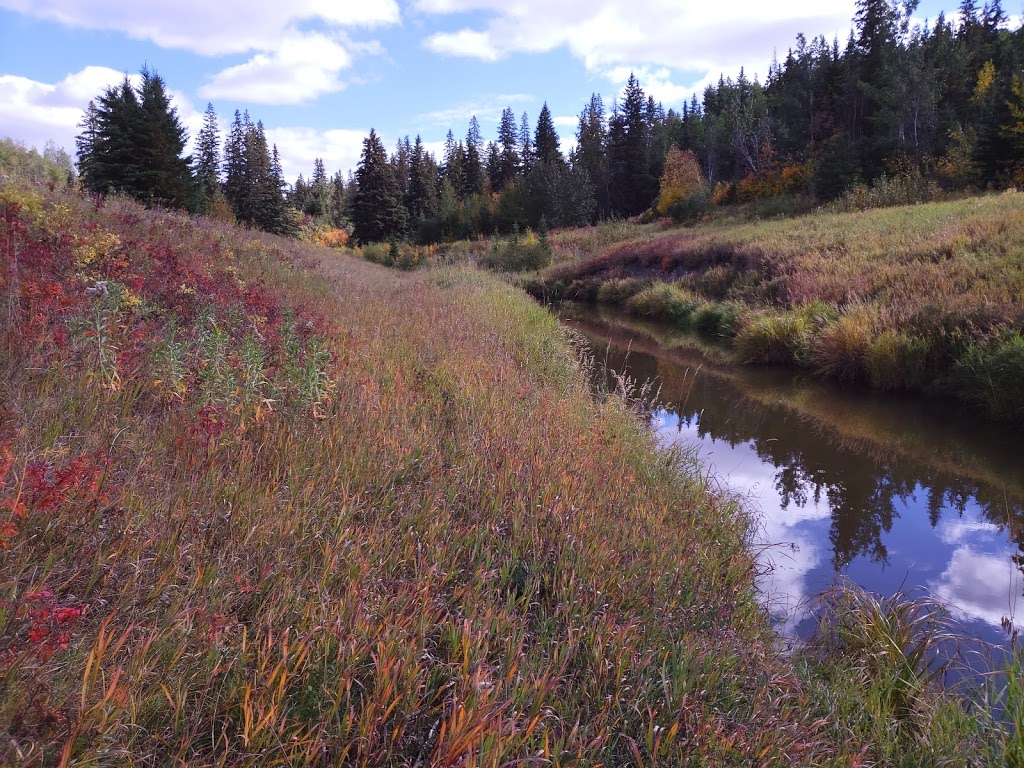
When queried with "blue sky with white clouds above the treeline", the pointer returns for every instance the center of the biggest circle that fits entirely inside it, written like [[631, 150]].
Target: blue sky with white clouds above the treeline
[[320, 74]]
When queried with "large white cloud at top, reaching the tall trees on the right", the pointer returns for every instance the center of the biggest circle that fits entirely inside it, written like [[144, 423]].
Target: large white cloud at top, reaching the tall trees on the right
[[656, 36]]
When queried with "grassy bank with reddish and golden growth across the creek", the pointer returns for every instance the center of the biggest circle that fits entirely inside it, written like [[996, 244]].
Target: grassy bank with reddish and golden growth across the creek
[[927, 297]]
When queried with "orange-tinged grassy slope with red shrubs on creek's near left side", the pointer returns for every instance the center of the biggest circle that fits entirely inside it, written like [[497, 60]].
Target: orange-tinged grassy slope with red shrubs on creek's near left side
[[263, 503]]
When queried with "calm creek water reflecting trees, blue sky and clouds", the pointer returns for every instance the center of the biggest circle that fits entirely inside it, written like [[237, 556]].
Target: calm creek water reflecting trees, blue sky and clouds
[[897, 494]]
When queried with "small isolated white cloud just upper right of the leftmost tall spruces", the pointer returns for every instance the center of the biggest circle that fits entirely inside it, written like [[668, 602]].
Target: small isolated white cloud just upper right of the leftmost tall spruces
[[303, 68]]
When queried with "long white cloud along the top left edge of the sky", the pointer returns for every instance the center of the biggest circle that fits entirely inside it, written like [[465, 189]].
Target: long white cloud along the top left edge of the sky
[[210, 28]]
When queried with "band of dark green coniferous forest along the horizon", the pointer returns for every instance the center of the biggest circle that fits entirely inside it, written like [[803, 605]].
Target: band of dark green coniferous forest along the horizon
[[924, 110]]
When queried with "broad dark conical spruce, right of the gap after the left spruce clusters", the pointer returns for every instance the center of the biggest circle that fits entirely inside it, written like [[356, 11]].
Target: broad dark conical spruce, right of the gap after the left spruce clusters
[[378, 212]]
